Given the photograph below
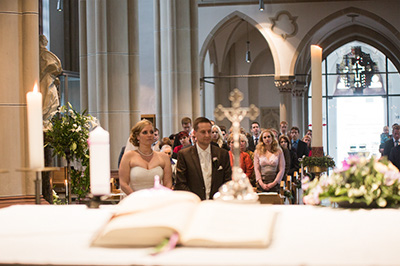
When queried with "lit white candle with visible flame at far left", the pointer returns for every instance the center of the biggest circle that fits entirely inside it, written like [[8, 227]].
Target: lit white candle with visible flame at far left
[[35, 128]]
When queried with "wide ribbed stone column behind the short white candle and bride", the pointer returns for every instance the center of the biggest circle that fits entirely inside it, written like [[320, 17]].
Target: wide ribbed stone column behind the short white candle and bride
[[109, 52]]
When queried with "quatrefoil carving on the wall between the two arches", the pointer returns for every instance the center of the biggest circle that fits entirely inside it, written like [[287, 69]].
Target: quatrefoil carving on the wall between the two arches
[[284, 24]]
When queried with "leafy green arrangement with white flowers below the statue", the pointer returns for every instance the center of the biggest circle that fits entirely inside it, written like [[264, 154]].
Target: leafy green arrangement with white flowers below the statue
[[67, 135]]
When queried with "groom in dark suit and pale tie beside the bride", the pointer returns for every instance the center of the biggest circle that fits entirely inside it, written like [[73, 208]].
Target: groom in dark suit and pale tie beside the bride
[[202, 168]]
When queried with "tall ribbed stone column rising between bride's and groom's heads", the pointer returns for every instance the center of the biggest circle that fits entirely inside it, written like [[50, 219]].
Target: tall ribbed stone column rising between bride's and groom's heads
[[177, 62]]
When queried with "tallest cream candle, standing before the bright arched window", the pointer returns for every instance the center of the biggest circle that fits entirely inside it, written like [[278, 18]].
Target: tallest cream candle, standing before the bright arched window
[[316, 78]]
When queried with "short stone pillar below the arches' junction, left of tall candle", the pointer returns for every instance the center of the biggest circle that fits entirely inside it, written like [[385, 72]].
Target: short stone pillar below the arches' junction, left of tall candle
[[299, 112]]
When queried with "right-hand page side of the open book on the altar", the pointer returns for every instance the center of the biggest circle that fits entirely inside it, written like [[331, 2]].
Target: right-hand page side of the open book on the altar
[[220, 224]]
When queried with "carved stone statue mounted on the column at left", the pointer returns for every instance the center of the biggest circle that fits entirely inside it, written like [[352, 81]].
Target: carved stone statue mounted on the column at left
[[50, 68]]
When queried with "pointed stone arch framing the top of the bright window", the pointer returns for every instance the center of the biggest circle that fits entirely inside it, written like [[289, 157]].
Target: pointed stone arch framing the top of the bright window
[[360, 25]]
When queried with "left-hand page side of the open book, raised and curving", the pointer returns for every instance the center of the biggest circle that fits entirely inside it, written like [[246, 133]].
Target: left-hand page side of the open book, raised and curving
[[146, 217]]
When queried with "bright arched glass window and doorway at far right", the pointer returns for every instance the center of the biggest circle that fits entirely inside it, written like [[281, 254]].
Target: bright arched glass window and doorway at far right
[[361, 94]]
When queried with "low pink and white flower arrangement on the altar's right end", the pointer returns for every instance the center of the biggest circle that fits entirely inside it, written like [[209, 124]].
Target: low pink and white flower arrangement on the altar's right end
[[369, 182]]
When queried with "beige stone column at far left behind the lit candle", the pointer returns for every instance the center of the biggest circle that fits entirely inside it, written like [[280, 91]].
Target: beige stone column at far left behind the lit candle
[[19, 70]]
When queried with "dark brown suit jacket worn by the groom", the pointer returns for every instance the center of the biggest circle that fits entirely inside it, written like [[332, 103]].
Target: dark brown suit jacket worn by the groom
[[190, 177]]
